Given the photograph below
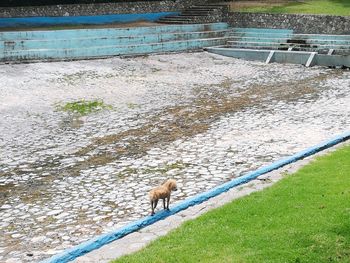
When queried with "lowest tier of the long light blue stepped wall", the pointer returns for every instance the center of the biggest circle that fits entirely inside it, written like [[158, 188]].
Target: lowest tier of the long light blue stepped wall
[[105, 51]]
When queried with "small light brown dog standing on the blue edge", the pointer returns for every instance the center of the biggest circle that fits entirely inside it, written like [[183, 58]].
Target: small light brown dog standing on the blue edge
[[162, 192]]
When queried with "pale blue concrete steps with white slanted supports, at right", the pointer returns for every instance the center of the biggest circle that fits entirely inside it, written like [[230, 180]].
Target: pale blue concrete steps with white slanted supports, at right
[[283, 46]]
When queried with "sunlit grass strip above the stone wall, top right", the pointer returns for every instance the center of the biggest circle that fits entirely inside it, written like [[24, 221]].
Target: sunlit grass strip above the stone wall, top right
[[327, 7]]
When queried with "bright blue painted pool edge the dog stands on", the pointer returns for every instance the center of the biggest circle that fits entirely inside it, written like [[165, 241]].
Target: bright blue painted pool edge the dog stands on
[[101, 240]]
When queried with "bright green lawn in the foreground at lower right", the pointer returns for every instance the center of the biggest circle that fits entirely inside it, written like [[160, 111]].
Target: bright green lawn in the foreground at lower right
[[302, 218]]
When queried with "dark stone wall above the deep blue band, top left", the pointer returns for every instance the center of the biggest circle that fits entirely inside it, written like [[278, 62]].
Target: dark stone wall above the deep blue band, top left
[[132, 7]]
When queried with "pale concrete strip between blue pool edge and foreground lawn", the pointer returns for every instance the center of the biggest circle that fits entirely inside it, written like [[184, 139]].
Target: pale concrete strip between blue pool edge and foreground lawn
[[140, 239]]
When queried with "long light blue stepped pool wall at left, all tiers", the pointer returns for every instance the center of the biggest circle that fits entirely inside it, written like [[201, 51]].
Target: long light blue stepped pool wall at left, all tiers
[[49, 45]]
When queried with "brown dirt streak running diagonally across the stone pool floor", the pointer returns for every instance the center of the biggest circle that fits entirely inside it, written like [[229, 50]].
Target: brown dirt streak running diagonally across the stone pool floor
[[184, 121]]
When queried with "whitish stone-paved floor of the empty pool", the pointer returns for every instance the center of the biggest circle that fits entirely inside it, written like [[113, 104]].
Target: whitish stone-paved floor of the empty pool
[[199, 118]]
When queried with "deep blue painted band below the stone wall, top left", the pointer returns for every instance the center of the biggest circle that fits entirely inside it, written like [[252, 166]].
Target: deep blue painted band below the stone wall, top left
[[81, 20]]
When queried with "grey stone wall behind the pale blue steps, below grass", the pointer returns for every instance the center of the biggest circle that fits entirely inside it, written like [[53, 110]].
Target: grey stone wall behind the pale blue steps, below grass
[[318, 24]]
